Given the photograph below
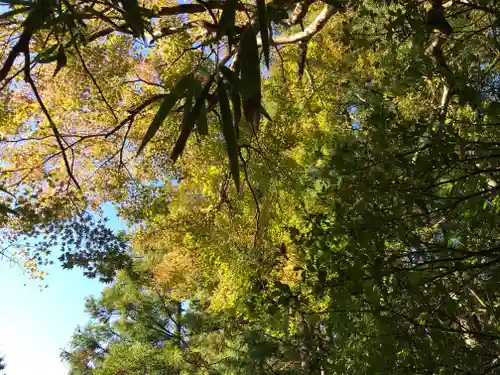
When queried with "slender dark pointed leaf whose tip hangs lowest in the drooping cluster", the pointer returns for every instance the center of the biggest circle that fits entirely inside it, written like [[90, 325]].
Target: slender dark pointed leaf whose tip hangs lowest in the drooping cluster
[[229, 134]]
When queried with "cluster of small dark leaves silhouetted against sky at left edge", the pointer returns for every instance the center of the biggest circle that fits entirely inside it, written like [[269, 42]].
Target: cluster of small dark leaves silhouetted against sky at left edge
[[81, 241]]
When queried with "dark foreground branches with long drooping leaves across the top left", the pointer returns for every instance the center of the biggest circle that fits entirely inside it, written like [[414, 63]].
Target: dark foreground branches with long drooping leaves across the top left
[[46, 31]]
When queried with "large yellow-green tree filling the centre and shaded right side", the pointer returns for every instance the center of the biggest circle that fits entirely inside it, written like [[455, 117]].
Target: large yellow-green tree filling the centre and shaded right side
[[374, 247]]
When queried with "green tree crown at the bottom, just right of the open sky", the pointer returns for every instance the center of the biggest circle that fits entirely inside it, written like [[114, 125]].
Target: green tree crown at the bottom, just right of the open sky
[[137, 329]]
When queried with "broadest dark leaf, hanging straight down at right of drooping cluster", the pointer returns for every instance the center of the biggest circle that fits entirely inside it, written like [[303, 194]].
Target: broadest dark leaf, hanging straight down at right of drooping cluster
[[250, 78]]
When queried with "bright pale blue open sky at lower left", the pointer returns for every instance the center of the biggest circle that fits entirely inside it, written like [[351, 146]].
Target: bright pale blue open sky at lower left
[[34, 324]]
